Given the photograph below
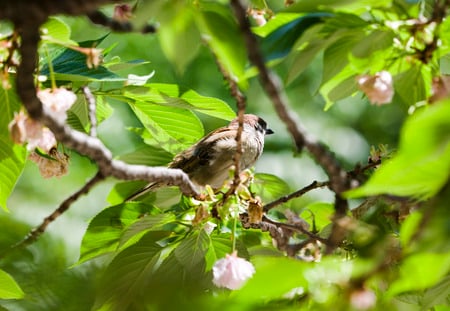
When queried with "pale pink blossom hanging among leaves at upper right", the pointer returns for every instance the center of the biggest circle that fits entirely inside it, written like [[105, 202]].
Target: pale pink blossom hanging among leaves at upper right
[[378, 87]]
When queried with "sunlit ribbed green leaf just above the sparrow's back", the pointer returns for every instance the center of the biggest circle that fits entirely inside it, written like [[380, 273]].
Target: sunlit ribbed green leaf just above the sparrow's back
[[172, 129]]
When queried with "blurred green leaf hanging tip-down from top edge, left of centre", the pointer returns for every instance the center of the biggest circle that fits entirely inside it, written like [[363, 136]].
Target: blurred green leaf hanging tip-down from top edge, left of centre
[[178, 34]]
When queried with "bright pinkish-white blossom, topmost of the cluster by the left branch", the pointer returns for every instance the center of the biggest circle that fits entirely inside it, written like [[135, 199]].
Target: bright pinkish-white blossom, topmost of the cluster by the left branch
[[56, 102]]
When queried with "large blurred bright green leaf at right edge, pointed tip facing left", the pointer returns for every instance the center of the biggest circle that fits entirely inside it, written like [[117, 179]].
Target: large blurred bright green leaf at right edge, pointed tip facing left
[[422, 165]]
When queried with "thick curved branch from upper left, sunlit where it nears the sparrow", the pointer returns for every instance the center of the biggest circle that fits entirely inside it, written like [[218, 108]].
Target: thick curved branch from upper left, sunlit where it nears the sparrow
[[82, 143]]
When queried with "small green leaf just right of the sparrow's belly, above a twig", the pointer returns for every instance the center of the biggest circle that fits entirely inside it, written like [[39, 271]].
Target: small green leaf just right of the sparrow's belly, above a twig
[[269, 187]]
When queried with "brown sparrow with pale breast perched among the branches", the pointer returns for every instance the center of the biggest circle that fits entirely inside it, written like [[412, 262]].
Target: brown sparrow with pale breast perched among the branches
[[209, 160]]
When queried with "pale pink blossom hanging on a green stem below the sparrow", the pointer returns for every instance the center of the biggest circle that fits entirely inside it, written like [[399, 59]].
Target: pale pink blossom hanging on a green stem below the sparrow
[[232, 272]]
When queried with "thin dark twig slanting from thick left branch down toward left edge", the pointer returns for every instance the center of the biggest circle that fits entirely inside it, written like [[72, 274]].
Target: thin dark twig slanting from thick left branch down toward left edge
[[63, 207]]
